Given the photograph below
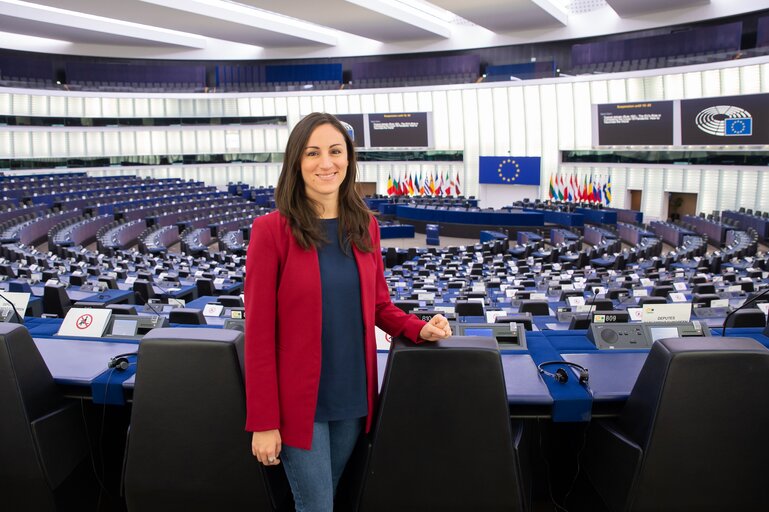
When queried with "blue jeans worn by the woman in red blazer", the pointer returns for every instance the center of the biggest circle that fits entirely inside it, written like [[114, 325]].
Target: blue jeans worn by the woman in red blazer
[[313, 474]]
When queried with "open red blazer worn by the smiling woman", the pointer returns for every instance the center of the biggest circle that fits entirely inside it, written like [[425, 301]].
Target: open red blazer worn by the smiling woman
[[283, 328]]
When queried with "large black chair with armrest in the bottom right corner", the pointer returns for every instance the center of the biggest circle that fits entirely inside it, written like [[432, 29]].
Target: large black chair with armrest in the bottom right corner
[[692, 435]]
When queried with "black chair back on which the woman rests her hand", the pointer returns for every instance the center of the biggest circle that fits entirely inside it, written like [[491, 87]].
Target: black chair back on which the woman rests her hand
[[413, 464]]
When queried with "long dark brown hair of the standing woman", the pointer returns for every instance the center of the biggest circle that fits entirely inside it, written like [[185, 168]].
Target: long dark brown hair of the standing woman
[[301, 211]]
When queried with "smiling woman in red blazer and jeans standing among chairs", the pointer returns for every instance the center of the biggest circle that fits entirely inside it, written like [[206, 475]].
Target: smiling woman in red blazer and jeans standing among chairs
[[314, 291]]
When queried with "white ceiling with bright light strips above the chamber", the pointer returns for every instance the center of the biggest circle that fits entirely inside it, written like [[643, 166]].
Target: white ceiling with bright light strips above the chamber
[[284, 29]]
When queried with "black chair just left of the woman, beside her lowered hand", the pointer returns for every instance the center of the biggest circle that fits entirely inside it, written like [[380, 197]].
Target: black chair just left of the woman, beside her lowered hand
[[187, 449]]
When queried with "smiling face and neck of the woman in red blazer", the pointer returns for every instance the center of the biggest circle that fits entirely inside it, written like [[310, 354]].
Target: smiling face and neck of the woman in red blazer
[[324, 167]]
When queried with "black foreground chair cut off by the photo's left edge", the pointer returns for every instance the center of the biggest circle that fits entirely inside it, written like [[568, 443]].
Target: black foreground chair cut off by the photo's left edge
[[42, 436]]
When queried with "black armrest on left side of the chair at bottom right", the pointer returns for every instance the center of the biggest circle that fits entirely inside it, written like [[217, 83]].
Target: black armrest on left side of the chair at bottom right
[[608, 447]]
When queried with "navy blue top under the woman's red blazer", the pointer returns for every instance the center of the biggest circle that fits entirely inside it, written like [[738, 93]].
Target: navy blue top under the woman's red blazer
[[342, 390]]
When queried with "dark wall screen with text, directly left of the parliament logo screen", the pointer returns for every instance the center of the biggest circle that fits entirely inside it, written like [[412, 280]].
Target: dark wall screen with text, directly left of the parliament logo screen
[[636, 124]]
